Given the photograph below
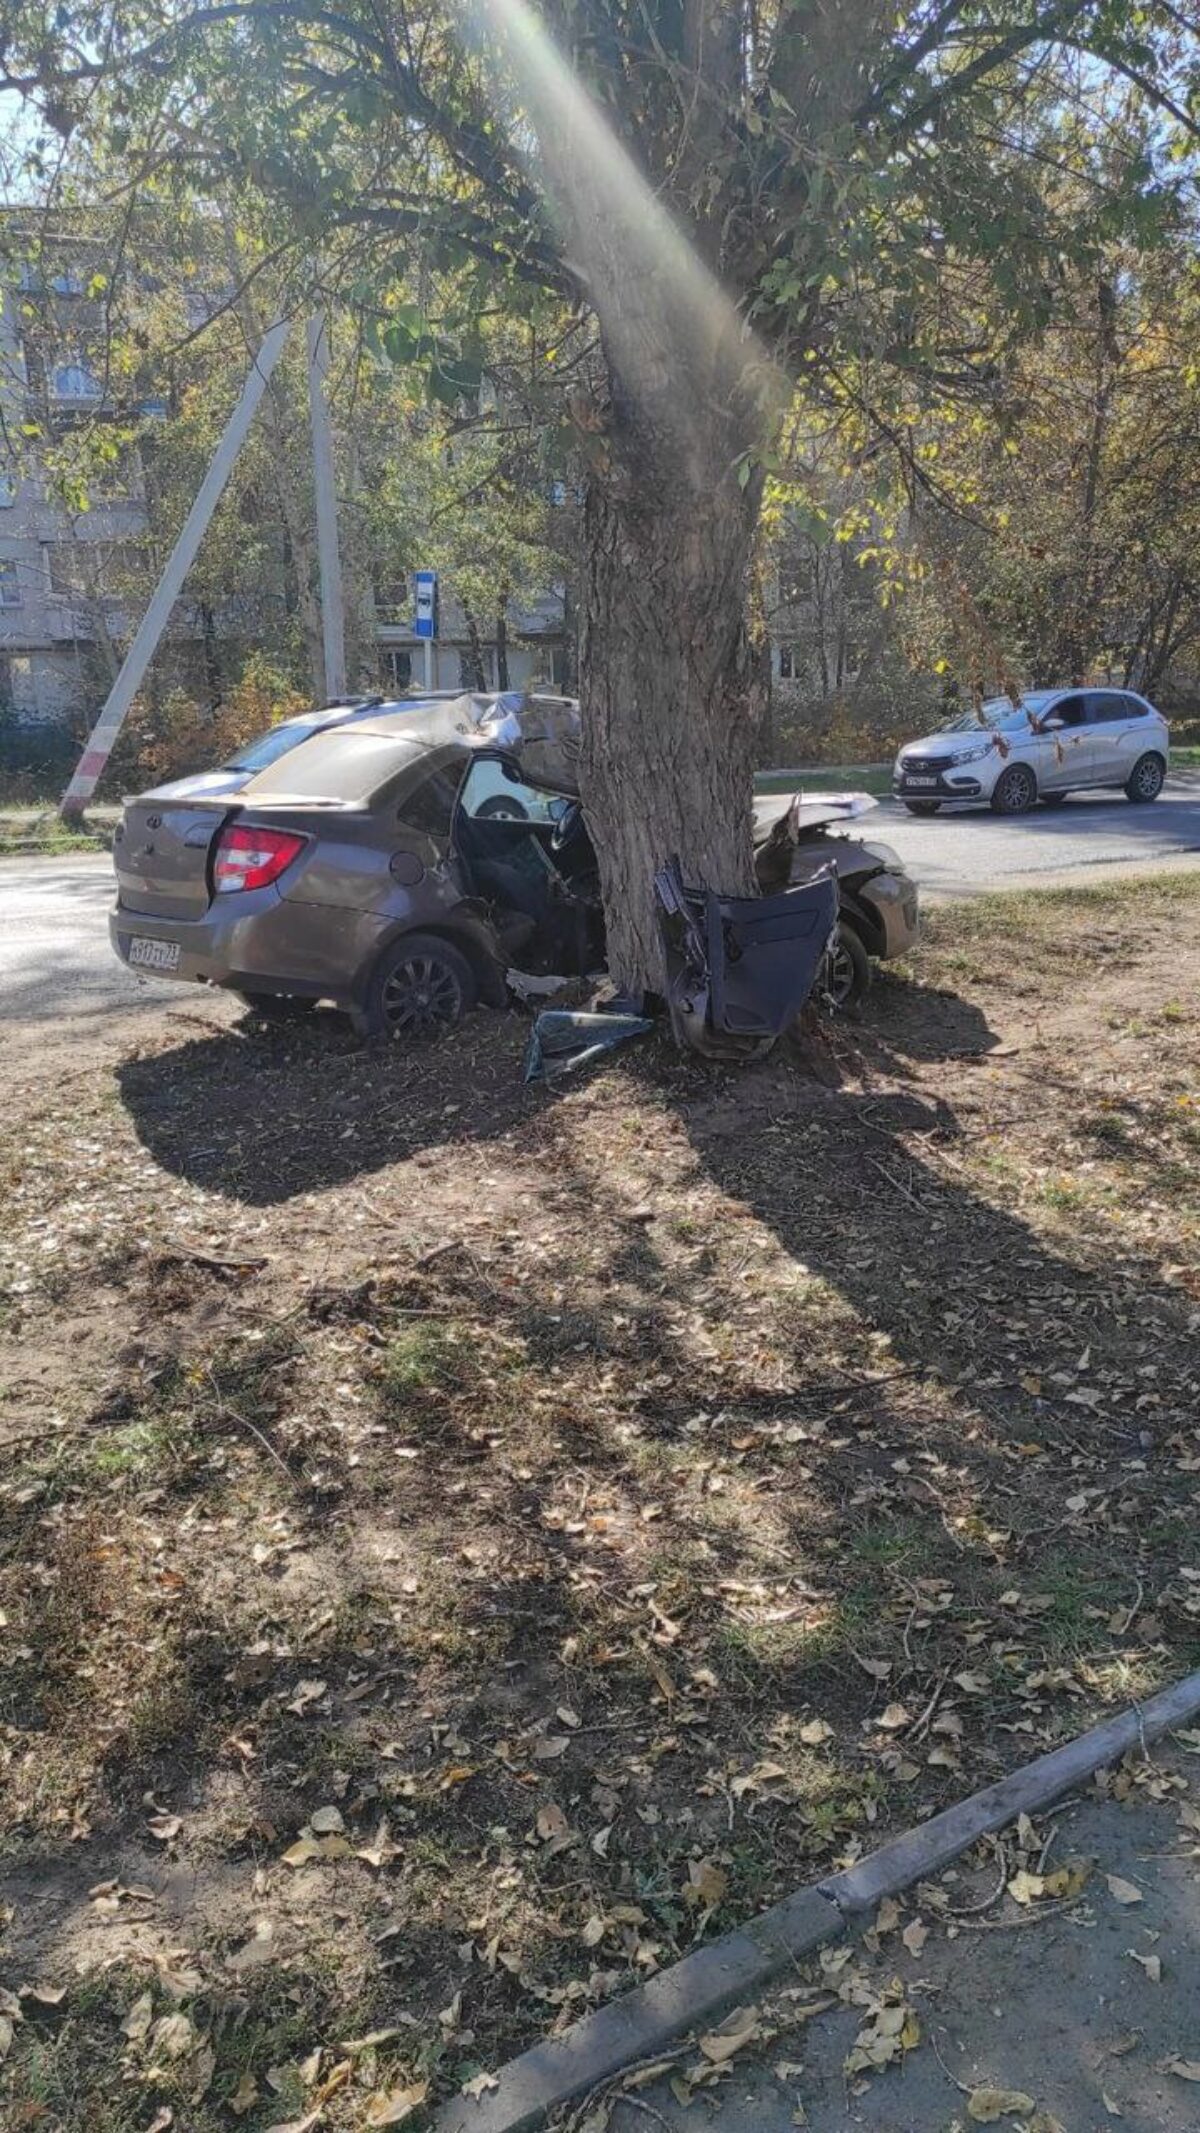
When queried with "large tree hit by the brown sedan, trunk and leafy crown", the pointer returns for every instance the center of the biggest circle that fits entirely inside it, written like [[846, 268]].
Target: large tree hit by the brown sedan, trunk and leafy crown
[[879, 202]]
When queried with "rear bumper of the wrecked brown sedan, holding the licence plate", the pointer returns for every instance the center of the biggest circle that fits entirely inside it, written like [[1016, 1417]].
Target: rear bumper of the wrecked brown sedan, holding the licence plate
[[265, 944]]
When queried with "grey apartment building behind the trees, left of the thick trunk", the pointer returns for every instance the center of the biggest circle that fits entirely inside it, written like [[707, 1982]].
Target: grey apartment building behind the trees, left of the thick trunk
[[74, 583]]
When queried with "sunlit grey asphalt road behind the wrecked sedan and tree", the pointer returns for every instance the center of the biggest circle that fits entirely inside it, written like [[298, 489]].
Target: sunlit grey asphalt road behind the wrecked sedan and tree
[[54, 937]]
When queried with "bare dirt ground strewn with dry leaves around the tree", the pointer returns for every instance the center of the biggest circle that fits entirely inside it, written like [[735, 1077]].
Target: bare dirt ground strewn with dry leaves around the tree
[[461, 1545]]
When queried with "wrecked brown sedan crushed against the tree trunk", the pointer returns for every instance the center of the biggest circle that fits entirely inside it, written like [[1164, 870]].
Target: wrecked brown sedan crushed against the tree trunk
[[404, 865]]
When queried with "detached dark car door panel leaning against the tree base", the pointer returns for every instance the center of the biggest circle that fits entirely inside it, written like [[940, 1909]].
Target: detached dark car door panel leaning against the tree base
[[741, 967]]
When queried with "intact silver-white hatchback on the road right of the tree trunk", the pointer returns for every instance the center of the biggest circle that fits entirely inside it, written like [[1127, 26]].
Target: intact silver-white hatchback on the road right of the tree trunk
[[1056, 743]]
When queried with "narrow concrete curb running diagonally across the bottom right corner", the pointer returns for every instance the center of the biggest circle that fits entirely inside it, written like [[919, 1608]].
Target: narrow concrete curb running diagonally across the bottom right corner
[[715, 1978]]
